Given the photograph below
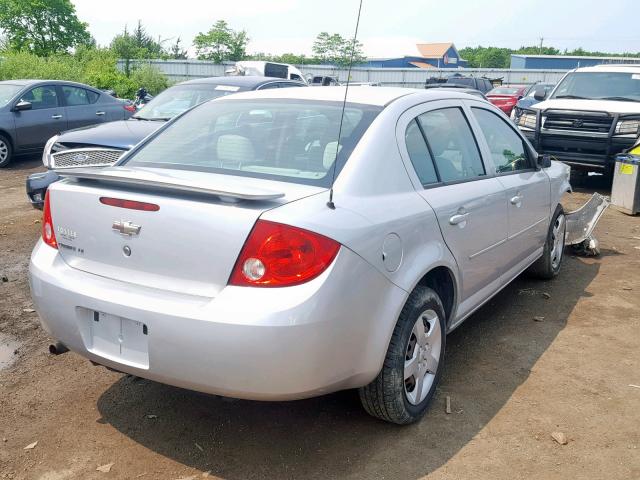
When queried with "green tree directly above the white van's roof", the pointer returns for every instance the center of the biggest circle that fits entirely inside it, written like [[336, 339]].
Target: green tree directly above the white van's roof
[[221, 43]]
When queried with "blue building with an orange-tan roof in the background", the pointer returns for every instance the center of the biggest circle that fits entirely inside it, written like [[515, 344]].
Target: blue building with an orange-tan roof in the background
[[430, 55]]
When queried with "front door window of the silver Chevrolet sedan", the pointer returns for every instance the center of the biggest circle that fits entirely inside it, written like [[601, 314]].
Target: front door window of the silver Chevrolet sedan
[[508, 152]]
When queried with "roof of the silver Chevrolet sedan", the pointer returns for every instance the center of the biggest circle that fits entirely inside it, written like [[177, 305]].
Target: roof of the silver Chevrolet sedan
[[376, 96]]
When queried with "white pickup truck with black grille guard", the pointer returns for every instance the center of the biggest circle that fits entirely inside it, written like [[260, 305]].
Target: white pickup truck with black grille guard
[[592, 115]]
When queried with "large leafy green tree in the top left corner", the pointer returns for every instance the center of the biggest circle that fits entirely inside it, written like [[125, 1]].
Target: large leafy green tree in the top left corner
[[42, 27]]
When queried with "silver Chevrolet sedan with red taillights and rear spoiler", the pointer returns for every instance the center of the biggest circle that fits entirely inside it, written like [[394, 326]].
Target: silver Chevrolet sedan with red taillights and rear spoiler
[[273, 246]]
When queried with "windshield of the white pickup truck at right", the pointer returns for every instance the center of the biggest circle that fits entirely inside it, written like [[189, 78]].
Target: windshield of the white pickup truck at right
[[600, 85]]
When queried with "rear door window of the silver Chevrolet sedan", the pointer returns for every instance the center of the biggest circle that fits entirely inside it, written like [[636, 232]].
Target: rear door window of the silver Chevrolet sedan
[[452, 145]]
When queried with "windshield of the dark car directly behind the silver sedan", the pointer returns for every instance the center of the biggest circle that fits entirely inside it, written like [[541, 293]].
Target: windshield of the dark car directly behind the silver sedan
[[175, 100]]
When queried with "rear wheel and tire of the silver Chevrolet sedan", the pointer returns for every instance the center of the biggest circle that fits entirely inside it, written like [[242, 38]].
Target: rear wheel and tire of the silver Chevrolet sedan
[[413, 365]]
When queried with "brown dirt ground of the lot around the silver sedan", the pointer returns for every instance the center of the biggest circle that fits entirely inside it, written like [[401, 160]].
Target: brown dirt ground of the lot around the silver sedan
[[512, 382]]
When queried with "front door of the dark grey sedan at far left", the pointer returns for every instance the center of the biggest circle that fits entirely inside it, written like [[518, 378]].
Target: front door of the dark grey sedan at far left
[[44, 120]]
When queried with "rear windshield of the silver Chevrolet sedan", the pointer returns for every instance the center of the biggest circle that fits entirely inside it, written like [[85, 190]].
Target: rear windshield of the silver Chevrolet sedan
[[289, 140]]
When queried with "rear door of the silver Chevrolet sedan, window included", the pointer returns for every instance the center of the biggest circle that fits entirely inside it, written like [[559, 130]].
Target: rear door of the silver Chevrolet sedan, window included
[[469, 202]]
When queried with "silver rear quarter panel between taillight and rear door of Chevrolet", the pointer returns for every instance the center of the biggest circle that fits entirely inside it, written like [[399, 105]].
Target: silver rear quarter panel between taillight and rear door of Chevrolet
[[375, 202]]
